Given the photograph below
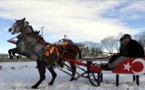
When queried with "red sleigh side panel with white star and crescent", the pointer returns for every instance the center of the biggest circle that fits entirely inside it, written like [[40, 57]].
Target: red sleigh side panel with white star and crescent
[[131, 66]]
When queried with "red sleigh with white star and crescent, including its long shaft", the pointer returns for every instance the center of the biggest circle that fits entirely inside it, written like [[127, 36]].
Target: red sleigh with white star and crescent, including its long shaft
[[132, 66]]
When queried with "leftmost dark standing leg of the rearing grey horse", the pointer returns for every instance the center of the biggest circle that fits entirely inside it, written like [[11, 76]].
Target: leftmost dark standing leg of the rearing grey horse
[[42, 69]]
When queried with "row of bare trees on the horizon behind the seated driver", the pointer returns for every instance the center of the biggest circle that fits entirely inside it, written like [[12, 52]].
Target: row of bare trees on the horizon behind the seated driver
[[109, 45]]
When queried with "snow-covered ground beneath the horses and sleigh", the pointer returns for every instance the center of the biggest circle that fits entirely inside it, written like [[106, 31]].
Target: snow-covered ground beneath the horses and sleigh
[[22, 75]]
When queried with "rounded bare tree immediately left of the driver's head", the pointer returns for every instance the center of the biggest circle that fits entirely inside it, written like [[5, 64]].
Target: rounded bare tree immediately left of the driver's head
[[110, 43]]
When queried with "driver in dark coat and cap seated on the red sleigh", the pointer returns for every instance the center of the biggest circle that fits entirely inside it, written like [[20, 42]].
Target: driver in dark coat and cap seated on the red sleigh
[[131, 49]]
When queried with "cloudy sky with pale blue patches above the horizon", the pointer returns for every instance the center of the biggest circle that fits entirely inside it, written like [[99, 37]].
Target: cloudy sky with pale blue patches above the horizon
[[80, 20]]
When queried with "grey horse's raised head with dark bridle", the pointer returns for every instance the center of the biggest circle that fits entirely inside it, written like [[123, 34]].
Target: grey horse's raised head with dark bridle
[[20, 26]]
